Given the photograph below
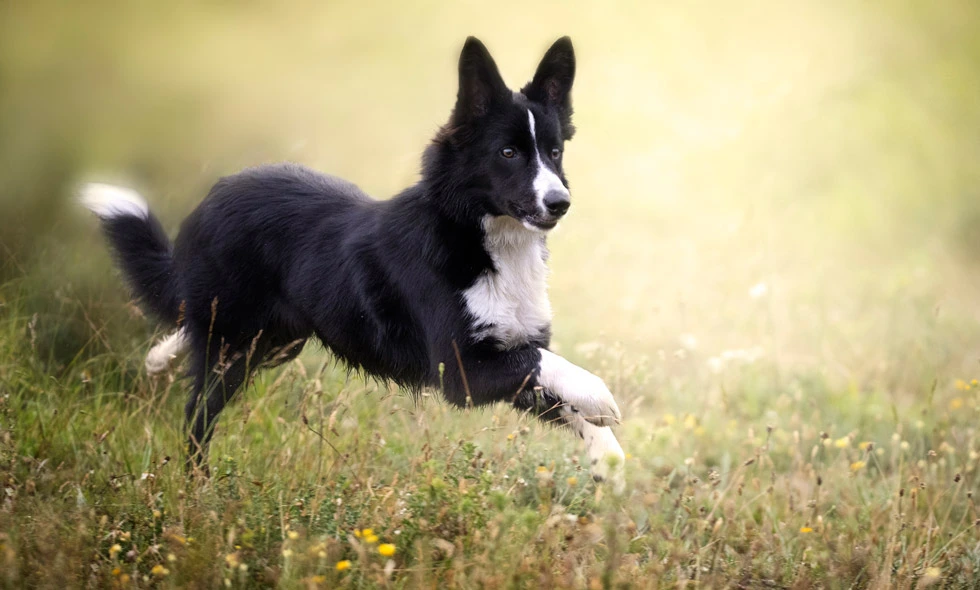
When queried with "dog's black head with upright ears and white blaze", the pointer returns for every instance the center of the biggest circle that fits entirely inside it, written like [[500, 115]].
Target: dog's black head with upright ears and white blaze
[[503, 149]]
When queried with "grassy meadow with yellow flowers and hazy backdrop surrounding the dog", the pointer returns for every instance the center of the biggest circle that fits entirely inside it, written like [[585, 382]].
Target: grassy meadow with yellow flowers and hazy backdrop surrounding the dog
[[772, 257]]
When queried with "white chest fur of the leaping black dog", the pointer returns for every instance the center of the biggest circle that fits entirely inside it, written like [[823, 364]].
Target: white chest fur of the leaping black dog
[[510, 303]]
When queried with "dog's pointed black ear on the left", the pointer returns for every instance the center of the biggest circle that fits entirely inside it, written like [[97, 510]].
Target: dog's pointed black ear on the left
[[480, 84]]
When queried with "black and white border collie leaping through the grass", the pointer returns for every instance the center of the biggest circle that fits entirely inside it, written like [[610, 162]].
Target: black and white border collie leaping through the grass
[[443, 286]]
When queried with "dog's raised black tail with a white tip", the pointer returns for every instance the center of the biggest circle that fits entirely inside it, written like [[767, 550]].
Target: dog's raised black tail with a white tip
[[141, 247]]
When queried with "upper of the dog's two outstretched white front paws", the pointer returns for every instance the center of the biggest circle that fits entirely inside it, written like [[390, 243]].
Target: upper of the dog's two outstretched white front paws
[[583, 392]]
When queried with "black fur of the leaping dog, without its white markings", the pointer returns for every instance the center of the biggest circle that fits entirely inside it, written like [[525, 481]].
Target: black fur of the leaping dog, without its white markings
[[279, 253]]
